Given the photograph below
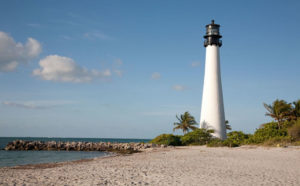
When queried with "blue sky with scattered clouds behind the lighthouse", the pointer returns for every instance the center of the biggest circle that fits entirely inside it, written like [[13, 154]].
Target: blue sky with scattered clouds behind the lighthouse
[[125, 69]]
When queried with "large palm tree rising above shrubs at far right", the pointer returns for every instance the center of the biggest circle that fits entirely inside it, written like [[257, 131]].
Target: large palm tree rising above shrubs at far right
[[280, 110]]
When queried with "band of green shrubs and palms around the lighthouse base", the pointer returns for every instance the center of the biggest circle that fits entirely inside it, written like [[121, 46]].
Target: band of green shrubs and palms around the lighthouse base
[[284, 130]]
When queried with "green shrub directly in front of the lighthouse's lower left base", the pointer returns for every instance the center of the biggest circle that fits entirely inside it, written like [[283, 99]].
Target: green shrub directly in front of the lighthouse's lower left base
[[197, 137]]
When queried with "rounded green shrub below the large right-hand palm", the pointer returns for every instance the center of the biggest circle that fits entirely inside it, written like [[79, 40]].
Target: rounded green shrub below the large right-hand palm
[[266, 132]]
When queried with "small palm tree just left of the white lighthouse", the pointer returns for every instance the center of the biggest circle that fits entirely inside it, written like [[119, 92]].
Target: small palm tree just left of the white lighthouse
[[186, 122]]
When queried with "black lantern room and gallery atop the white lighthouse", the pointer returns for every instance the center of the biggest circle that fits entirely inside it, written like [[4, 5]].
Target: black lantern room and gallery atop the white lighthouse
[[212, 36]]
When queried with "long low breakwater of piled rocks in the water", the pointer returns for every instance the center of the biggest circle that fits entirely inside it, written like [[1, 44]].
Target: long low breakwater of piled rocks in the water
[[80, 146]]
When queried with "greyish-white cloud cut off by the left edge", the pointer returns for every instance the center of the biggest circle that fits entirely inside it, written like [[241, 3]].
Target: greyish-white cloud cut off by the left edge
[[12, 53]]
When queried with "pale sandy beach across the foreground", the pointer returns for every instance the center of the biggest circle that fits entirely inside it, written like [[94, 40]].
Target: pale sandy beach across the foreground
[[178, 166]]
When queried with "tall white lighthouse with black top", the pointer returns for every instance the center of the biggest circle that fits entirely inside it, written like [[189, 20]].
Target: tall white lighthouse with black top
[[212, 109]]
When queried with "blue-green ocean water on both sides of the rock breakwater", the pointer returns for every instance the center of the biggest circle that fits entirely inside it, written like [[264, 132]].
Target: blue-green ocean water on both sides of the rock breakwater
[[13, 158]]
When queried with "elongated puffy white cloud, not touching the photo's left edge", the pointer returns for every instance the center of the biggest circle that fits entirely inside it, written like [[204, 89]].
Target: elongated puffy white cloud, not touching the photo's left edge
[[64, 69]]
